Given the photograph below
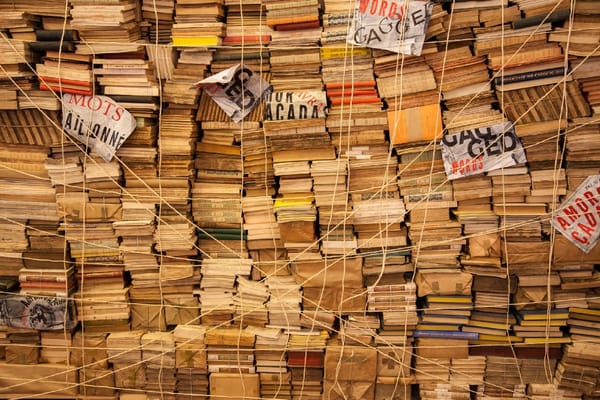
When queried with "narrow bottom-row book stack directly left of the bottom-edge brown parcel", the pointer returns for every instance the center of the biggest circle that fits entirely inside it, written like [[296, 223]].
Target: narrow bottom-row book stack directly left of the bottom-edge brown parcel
[[190, 360]]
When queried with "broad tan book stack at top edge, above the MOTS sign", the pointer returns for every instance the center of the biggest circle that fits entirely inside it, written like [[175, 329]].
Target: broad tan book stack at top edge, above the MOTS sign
[[105, 26]]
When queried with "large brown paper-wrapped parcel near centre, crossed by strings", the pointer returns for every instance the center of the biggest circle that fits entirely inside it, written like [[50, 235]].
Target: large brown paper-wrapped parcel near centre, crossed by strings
[[329, 273]]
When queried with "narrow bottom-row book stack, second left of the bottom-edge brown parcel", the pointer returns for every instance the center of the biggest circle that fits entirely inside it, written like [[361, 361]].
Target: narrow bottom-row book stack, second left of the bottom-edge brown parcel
[[158, 354]]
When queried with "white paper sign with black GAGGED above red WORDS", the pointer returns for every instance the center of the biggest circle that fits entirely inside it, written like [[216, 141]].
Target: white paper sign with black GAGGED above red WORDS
[[479, 150]]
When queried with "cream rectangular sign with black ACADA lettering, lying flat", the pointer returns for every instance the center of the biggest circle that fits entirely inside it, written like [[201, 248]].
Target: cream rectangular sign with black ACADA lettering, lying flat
[[295, 105]]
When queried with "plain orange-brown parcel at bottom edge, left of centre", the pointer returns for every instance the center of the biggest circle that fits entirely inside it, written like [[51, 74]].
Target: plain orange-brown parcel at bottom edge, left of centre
[[234, 386]]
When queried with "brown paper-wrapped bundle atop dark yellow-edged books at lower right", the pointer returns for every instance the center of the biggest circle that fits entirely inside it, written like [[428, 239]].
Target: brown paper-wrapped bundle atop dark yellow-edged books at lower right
[[443, 282]]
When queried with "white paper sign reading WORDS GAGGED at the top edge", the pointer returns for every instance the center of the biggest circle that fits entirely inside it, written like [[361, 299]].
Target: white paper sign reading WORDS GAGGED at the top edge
[[395, 25]]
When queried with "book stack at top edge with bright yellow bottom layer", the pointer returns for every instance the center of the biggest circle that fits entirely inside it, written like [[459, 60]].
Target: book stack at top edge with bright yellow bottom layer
[[198, 24]]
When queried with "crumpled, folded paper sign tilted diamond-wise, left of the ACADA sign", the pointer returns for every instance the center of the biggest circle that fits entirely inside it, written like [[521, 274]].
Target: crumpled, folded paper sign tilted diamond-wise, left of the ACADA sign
[[237, 90]]
